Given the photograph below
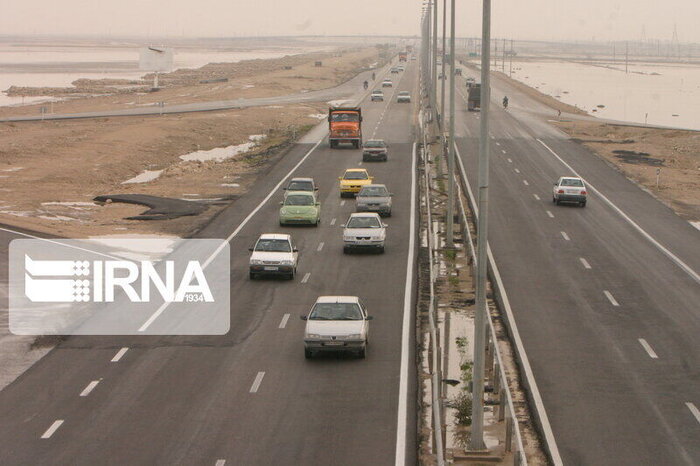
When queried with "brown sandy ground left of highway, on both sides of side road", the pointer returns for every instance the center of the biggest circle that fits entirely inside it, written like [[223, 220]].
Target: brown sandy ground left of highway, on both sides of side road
[[50, 171]]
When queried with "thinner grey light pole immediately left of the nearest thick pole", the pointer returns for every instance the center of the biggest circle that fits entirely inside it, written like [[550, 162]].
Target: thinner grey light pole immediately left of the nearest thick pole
[[451, 138]]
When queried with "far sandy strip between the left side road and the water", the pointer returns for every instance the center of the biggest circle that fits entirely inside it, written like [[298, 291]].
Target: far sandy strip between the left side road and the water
[[246, 79]]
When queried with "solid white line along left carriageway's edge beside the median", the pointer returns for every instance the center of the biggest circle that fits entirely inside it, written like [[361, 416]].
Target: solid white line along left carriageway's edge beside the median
[[402, 417]]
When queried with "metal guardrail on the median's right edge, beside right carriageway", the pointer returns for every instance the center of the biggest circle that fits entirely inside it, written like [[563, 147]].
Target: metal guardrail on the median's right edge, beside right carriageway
[[495, 365]]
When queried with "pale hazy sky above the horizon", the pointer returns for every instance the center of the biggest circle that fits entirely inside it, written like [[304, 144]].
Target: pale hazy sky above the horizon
[[519, 19]]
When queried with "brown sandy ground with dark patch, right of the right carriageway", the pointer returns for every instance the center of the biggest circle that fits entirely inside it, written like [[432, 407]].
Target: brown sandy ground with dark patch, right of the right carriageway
[[639, 152]]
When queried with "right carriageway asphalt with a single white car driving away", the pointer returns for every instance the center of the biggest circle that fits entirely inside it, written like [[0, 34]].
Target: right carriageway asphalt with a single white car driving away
[[606, 298]]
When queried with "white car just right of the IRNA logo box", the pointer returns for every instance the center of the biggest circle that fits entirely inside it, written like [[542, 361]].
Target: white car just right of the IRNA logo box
[[273, 254]]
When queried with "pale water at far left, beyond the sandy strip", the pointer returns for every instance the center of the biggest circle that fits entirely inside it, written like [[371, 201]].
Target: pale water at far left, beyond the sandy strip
[[59, 66]]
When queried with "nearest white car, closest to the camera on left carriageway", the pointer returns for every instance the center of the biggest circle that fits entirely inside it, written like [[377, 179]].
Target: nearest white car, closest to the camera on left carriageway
[[337, 324]]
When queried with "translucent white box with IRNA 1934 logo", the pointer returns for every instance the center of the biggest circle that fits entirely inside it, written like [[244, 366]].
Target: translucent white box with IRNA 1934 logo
[[126, 287]]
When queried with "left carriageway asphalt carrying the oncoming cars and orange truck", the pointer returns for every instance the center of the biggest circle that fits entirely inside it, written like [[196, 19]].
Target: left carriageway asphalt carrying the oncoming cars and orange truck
[[250, 397]]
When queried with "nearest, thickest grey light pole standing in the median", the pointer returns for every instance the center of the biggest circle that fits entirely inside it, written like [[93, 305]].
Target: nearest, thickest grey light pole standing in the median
[[476, 441]]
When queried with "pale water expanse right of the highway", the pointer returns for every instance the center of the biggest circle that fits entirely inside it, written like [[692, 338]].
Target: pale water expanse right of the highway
[[660, 94]]
